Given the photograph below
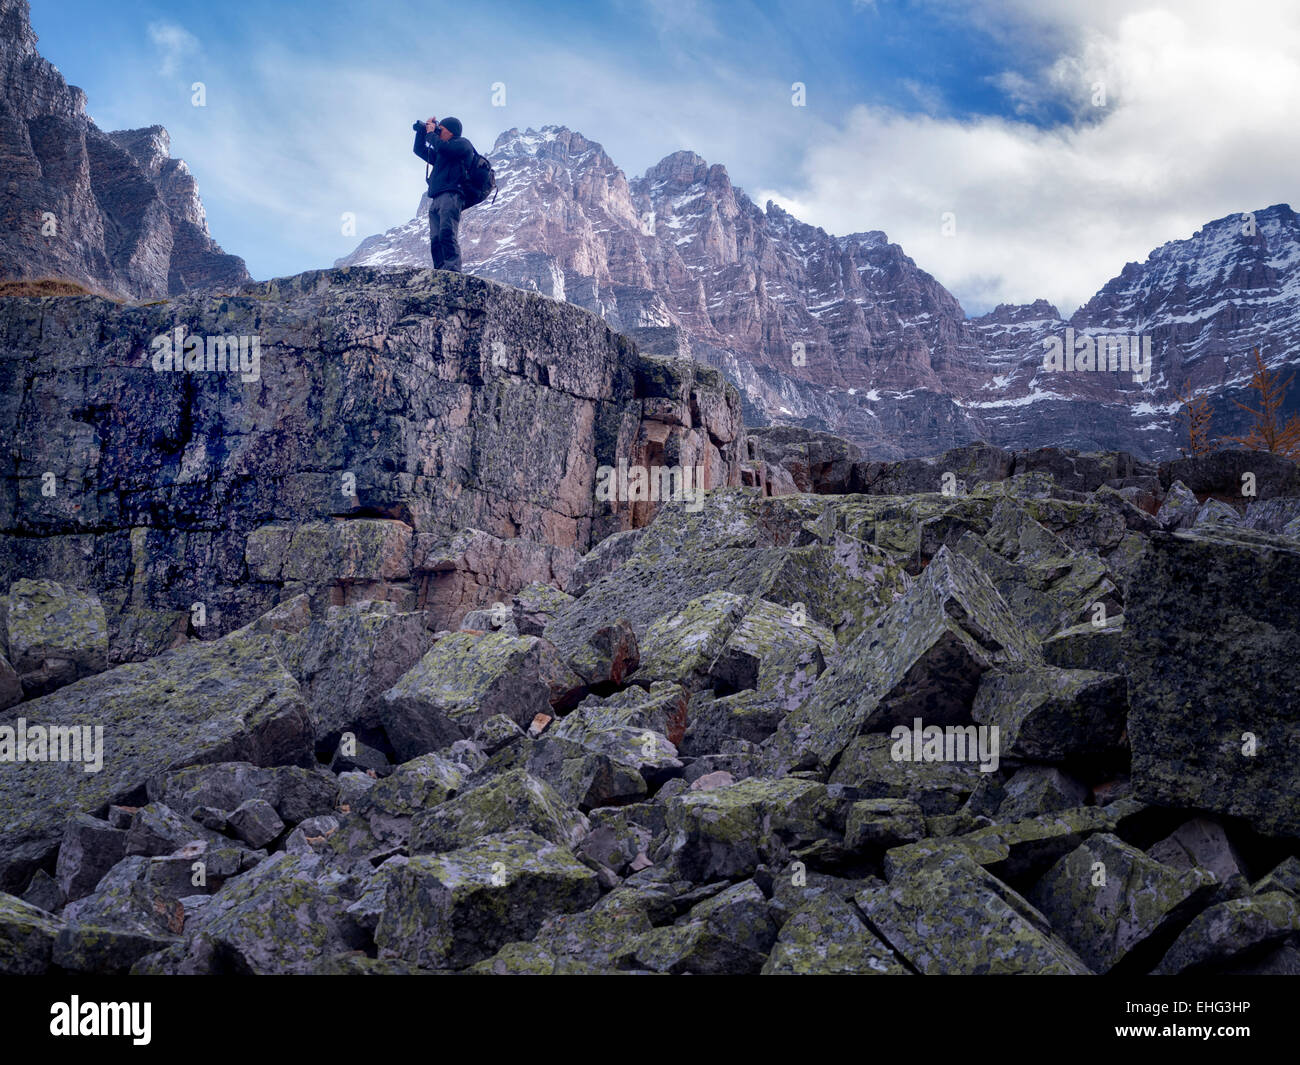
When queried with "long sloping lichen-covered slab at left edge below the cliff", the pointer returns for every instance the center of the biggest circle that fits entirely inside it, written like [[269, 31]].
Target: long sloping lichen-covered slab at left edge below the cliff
[[205, 703]]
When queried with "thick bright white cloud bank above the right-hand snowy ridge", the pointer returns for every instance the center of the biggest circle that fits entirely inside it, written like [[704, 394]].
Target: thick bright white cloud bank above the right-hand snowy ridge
[[1202, 107]]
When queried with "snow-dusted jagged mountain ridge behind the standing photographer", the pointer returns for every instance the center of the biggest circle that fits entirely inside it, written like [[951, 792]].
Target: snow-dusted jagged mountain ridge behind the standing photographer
[[686, 263]]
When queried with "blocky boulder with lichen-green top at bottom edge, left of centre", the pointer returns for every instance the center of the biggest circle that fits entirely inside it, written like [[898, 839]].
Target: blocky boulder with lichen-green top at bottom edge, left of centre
[[453, 910]]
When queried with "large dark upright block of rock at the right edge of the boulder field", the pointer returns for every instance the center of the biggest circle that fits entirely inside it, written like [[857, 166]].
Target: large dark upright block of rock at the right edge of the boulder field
[[1212, 653]]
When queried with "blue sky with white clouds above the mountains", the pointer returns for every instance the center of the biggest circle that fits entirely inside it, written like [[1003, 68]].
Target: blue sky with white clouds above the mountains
[[983, 110]]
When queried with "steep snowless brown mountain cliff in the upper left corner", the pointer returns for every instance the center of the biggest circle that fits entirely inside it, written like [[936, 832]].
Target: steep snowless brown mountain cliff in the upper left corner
[[111, 211]]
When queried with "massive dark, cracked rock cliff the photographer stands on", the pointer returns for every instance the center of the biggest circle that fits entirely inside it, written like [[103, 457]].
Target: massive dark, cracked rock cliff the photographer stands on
[[426, 439]]
